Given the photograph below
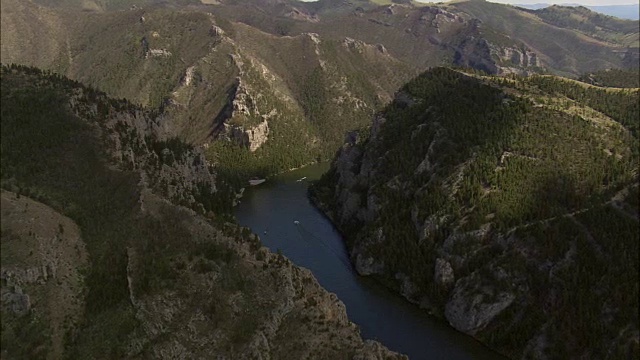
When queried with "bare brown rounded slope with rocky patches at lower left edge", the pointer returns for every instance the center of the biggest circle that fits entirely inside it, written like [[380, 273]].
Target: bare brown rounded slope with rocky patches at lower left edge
[[41, 279]]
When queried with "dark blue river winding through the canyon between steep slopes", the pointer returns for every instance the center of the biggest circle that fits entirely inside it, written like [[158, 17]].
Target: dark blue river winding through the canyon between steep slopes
[[316, 245]]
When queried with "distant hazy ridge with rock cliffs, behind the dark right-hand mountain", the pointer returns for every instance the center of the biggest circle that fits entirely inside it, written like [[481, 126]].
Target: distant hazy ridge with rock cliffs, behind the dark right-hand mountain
[[492, 37]]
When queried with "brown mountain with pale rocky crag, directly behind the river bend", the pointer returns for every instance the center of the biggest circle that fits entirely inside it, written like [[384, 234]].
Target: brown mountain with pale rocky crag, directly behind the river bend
[[217, 79]]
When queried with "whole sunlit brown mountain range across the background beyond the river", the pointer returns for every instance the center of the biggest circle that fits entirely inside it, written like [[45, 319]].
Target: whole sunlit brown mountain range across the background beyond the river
[[267, 86]]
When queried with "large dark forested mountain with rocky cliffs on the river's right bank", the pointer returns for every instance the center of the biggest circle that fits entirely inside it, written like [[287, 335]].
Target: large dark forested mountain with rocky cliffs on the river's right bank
[[506, 205]]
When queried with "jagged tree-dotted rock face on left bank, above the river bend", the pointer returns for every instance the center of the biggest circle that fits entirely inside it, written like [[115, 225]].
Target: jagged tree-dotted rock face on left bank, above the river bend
[[137, 141]]
